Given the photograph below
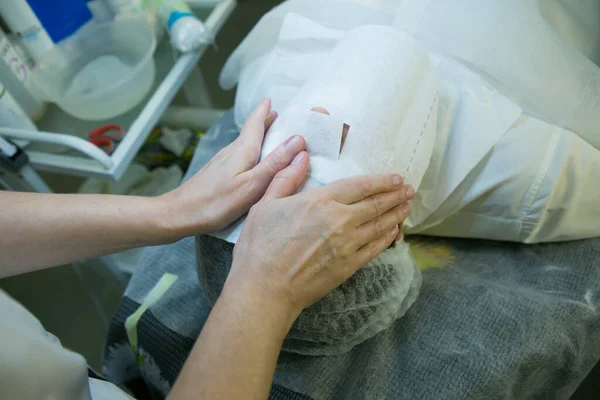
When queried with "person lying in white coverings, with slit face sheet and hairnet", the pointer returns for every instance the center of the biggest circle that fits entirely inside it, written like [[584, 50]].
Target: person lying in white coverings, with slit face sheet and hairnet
[[481, 167]]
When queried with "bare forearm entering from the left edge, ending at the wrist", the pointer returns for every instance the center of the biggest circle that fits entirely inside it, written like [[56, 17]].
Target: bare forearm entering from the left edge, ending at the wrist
[[43, 230]]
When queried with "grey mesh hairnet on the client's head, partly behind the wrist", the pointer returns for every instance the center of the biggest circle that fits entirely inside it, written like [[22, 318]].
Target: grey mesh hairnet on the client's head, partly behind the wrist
[[361, 307]]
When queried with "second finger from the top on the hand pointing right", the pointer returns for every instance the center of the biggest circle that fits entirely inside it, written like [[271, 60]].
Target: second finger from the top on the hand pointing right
[[375, 206]]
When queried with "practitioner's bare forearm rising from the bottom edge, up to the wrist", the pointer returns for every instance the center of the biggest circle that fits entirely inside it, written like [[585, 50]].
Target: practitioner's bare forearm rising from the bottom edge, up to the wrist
[[236, 353]]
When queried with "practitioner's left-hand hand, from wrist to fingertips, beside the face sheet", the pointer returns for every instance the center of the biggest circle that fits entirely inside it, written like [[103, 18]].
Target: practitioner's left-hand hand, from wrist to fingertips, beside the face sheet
[[233, 180]]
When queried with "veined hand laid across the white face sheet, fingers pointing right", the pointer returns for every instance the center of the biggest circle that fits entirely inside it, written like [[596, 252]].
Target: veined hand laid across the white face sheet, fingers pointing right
[[294, 250]]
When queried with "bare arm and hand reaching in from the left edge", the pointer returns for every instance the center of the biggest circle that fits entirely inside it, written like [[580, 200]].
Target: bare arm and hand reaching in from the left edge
[[44, 230]]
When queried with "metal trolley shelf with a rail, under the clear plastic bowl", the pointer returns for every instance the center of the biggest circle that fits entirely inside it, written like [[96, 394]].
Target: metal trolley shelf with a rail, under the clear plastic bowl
[[69, 152]]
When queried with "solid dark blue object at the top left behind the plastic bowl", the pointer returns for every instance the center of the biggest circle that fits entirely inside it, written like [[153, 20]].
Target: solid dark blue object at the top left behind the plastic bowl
[[61, 18]]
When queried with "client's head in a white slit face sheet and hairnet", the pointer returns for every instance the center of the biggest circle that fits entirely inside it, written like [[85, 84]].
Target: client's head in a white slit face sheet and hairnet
[[380, 96]]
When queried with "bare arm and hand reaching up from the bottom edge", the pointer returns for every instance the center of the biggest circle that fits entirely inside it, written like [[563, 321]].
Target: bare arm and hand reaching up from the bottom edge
[[279, 268]]
